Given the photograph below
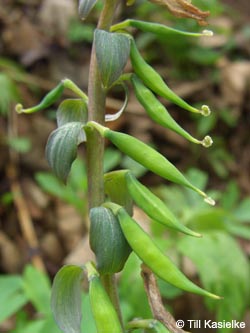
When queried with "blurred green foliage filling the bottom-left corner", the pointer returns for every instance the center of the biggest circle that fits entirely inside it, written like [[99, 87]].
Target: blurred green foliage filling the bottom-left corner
[[33, 287]]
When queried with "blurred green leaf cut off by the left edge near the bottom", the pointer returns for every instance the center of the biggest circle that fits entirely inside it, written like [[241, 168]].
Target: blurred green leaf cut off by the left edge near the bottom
[[12, 298]]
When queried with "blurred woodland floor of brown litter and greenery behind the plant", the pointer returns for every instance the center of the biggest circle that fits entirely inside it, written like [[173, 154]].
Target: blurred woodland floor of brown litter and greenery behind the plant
[[43, 222]]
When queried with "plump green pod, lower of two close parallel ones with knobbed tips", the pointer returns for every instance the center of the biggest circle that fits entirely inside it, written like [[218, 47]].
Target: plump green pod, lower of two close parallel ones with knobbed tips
[[158, 112]]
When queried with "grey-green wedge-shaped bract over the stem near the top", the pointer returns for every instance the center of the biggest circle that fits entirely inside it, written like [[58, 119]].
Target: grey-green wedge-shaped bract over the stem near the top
[[112, 52]]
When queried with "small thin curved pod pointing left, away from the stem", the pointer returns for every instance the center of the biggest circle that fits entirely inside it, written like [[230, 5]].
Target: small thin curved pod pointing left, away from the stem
[[48, 100]]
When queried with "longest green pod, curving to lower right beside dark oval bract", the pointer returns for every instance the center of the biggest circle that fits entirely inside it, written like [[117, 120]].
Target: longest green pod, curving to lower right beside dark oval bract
[[154, 258]]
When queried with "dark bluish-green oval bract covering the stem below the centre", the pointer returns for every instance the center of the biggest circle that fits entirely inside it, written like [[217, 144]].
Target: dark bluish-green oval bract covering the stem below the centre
[[107, 241]]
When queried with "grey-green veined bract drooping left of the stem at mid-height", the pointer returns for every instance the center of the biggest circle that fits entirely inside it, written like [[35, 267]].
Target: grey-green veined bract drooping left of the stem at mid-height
[[61, 149]]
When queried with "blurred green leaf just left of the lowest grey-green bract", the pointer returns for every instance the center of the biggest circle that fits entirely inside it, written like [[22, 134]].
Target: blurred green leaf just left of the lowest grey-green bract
[[36, 286]]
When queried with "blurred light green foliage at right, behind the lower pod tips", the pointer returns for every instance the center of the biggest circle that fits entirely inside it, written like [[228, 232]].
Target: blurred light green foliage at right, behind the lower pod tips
[[218, 225]]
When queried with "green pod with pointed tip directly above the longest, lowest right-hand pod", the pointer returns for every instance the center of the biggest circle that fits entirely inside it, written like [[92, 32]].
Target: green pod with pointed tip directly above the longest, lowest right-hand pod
[[154, 207]]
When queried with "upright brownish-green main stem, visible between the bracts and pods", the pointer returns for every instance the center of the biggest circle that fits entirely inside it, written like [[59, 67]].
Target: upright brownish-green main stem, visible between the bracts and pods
[[95, 142]]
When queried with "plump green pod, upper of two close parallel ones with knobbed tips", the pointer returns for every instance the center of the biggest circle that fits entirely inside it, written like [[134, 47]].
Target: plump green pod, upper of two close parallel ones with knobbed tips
[[154, 81]]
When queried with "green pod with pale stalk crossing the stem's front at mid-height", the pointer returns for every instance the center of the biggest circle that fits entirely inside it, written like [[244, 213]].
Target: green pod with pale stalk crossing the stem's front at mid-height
[[148, 157]]
